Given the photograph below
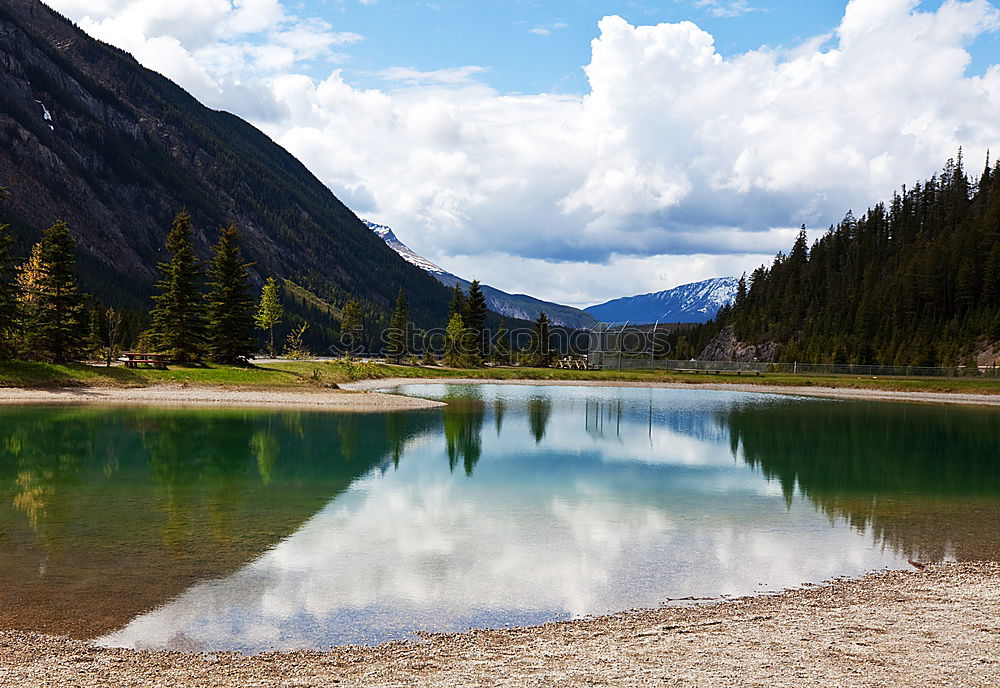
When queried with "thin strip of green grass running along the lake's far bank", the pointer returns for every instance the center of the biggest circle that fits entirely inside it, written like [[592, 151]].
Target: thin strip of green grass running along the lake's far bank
[[292, 374]]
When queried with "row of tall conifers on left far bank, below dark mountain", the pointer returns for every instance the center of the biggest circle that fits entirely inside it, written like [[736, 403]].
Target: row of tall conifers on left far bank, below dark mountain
[[199, 312]]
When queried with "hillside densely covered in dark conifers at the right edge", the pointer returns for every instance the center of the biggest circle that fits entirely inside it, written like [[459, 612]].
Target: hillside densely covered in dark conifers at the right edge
[[914, 282]]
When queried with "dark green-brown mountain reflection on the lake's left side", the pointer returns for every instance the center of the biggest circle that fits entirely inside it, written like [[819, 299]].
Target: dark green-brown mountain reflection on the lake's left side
[[105, 513]]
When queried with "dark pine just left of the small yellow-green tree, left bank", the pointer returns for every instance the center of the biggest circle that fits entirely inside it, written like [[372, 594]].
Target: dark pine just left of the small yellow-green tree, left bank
[[230, 305]]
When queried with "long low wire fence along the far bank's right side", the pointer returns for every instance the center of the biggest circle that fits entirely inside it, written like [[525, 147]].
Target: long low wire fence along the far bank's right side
[[626, 361]]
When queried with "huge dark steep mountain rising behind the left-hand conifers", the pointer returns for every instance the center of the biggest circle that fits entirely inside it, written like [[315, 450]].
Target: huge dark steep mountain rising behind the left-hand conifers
[[90, 136]]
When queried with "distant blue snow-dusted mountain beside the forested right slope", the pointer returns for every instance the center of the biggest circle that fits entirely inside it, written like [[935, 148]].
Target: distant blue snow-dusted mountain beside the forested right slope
[[689, 303]]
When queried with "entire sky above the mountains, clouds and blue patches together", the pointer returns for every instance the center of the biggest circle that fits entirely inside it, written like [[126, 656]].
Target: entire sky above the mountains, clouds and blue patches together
[[702, 135]]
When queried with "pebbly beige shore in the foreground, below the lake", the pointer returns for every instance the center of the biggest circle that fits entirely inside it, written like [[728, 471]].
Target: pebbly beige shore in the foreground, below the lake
[[935, 627]]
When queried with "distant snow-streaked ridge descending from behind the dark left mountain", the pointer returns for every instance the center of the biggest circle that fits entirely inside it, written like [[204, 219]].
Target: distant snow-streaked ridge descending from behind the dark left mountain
[[515, 306]]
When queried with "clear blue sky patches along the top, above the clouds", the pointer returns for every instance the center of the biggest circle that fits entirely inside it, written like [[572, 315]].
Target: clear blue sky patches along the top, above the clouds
[[531, 47]]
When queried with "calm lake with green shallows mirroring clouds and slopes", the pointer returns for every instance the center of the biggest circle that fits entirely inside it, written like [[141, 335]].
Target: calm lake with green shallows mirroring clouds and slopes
[[222, 529]]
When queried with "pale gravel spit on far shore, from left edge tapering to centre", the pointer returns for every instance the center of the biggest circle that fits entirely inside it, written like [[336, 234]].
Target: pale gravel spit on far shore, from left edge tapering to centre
[[182, 395]]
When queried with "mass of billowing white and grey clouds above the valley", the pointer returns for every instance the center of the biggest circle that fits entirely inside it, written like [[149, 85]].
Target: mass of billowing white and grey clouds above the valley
[[675, 150]]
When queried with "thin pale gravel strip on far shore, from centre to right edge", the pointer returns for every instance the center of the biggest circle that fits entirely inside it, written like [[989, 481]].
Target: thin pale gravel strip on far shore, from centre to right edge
[[824, 392]]
